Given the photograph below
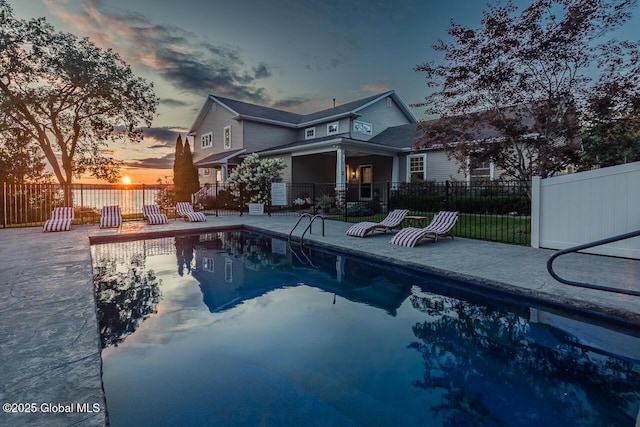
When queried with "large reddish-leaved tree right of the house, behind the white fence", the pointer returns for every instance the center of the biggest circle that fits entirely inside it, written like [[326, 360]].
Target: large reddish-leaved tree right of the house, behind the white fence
[[513, 91]]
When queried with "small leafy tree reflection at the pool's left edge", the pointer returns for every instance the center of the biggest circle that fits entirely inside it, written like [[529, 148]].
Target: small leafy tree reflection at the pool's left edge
[[124, 298]]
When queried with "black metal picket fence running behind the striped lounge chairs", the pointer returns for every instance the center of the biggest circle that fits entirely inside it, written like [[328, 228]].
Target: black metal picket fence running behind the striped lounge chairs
[[496, 211]]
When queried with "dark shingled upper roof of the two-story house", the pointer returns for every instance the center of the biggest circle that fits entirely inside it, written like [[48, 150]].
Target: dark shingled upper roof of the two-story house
[[258, 113]]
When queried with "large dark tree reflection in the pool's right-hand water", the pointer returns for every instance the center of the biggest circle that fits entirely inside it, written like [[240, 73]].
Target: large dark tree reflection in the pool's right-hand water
[[491, 372]]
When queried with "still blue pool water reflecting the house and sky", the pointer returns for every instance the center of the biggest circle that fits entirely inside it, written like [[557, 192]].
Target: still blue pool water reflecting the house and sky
[[233, 328]]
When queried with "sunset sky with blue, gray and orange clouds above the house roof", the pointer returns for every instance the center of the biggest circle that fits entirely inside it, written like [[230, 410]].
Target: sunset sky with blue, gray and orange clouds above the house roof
[[294, 55]]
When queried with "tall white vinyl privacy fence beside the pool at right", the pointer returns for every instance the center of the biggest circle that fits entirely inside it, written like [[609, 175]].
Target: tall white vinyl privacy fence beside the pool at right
[[583, 207]]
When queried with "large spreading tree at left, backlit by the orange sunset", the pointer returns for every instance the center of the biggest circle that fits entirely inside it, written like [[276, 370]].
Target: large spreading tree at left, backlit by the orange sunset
[[70, 96]]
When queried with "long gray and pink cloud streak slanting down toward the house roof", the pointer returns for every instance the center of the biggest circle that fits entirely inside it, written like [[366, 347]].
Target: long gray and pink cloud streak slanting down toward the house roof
[[176, 55]]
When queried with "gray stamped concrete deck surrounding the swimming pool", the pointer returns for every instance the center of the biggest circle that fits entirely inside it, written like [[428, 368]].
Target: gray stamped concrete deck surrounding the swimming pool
[[49, 338]]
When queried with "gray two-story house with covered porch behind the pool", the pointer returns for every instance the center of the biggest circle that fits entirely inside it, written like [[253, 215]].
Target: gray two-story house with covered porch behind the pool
[[358, 143]]
